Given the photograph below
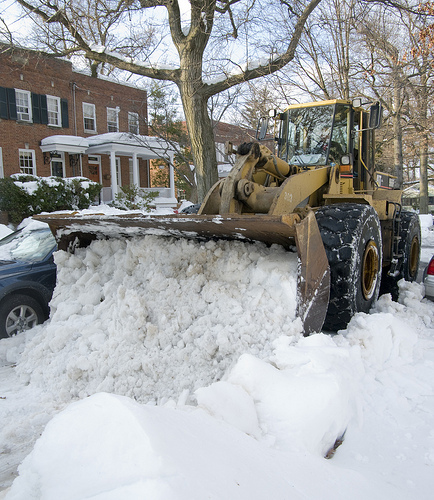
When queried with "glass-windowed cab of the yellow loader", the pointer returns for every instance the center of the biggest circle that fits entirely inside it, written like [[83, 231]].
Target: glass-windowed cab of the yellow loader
[[331, 133]]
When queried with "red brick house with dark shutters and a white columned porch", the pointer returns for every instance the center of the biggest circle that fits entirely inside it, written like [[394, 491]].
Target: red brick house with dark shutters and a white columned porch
[[57, 121]]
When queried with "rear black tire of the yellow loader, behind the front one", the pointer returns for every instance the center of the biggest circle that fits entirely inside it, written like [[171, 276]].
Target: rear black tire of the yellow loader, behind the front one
[[409, 246]]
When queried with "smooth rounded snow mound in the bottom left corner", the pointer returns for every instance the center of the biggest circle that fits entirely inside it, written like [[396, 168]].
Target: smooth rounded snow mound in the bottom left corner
[[91, 447]]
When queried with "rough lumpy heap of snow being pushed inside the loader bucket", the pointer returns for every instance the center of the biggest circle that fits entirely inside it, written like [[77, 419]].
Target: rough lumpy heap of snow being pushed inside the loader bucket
[[152, 317]]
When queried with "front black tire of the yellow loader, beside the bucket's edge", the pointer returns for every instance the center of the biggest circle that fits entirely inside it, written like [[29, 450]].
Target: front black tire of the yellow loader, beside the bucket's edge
[[351, 234]]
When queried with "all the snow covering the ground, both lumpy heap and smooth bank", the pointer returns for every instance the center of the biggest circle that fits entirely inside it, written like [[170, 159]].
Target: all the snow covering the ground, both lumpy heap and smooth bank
[[177, 370]]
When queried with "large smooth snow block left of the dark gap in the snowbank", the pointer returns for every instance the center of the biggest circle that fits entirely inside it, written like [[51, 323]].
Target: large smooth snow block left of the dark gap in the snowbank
[[304, 399]]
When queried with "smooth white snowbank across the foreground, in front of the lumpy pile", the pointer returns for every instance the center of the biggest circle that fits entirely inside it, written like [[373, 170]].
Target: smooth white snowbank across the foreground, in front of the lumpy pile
[[262, 430]]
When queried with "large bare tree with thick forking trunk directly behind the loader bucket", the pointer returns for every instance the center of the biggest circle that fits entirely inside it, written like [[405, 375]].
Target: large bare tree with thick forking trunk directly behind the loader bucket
[[190, 40]]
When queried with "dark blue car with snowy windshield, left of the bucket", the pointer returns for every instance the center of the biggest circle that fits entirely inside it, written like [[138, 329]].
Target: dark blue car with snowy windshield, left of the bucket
[[27, 278]]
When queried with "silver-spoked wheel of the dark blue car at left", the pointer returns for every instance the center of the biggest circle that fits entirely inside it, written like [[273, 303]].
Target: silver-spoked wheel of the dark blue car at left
[[19, 313]]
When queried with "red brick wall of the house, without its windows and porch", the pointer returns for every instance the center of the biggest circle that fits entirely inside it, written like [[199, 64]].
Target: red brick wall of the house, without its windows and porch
[[47, 76]]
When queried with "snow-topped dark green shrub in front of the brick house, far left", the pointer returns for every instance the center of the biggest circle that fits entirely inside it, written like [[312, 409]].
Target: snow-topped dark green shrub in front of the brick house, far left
[[26, 195]]
